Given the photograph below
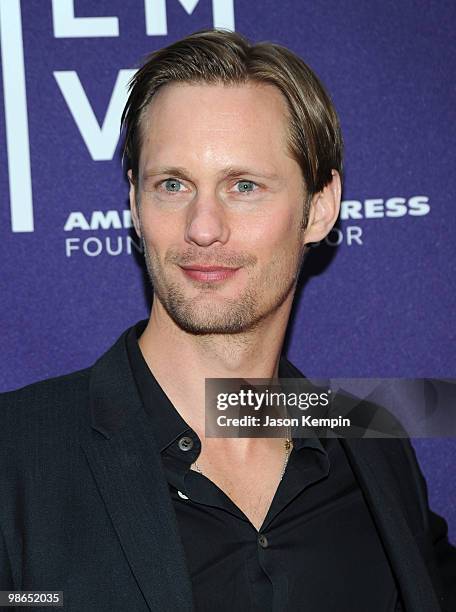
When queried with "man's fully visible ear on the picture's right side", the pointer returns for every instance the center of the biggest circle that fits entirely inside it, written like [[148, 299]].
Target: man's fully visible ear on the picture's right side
[[324, 210]]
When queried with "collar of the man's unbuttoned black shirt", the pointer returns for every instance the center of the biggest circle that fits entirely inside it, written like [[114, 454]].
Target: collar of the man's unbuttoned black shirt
[[168, 423]]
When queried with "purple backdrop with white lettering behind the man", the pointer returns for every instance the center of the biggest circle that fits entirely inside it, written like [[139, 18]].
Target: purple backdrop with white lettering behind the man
[[377, 297]]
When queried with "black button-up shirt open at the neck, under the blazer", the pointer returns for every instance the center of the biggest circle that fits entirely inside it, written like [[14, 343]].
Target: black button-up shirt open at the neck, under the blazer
[[317, 550]]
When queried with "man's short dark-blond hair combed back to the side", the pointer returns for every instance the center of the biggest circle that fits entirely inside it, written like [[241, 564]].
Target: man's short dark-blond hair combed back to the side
[[219, 56]]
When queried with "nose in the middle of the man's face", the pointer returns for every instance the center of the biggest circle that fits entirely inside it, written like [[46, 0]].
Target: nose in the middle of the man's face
[[206, 221]]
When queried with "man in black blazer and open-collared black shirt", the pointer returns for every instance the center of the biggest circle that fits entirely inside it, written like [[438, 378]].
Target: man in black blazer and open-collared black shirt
[[111, 491]]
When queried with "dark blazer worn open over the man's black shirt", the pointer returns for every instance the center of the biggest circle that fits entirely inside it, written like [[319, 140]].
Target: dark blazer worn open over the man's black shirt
[[85, 507]]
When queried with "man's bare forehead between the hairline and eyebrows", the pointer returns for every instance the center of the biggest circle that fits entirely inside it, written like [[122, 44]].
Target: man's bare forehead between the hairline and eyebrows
[[210, 123]]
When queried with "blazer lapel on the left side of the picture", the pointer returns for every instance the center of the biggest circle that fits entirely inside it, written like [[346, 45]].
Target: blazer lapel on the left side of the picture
[[118, 441]]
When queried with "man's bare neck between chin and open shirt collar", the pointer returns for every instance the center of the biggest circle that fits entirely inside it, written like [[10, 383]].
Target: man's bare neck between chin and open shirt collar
[[180, 361]]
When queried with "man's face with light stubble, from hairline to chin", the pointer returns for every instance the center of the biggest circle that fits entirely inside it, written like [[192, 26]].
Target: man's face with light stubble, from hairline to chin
[[219, 203]]
